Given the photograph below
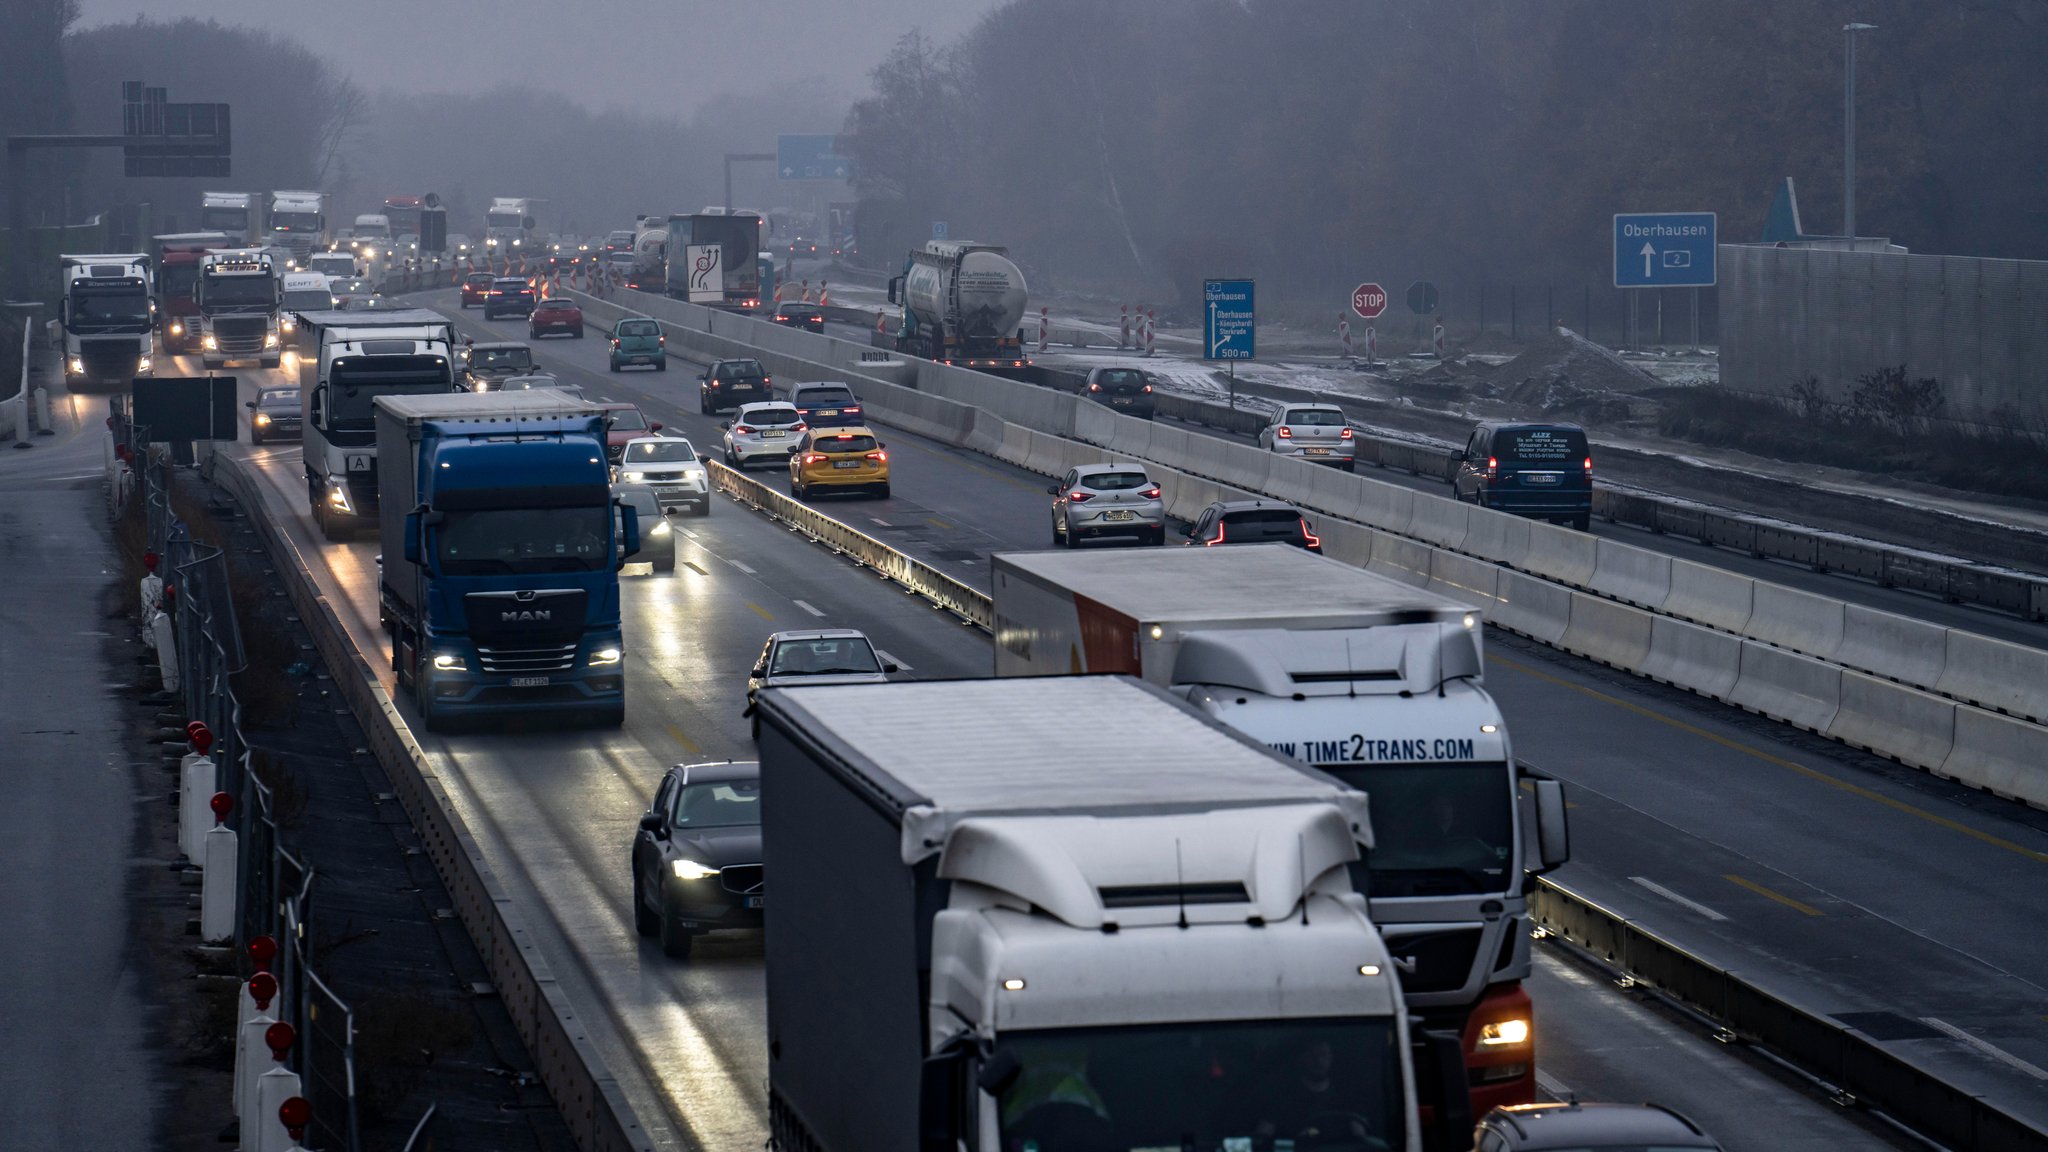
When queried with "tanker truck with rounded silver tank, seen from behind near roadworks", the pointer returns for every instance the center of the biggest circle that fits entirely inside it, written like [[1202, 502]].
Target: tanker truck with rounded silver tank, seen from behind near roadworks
[[962, 304]]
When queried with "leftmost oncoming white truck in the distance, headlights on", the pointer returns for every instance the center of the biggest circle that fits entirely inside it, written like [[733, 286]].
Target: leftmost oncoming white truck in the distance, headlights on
[[108, 317]]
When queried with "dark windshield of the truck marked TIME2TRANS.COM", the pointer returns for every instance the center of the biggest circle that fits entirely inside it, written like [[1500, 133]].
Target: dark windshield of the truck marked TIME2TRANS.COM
[[1439, 829]]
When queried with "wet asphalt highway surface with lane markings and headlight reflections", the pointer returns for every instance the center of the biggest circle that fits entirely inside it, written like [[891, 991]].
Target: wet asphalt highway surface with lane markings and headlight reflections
[[1867, 887]]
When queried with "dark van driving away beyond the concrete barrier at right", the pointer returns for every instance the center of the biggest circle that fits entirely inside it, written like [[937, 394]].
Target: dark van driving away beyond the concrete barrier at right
[[1533, 470]]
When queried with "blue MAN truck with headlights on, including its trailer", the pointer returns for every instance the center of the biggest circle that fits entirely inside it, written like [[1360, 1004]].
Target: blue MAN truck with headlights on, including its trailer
[[501, 554]]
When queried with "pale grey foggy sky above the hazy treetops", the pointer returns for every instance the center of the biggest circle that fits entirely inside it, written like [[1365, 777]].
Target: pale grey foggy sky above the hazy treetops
[[607, 54]]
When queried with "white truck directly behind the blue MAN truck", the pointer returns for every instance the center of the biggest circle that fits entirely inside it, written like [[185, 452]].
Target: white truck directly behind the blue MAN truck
[[347, 360]]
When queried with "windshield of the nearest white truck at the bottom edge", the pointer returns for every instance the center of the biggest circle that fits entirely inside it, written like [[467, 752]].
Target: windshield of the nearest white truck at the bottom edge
[[1332, 1085]]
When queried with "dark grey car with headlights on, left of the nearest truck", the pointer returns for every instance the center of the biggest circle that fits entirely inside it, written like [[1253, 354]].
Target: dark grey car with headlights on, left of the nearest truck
[[697, 856]]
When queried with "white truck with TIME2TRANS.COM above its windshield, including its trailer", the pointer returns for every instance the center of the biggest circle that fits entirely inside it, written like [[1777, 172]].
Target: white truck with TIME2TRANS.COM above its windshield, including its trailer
[[1373, 682]]
